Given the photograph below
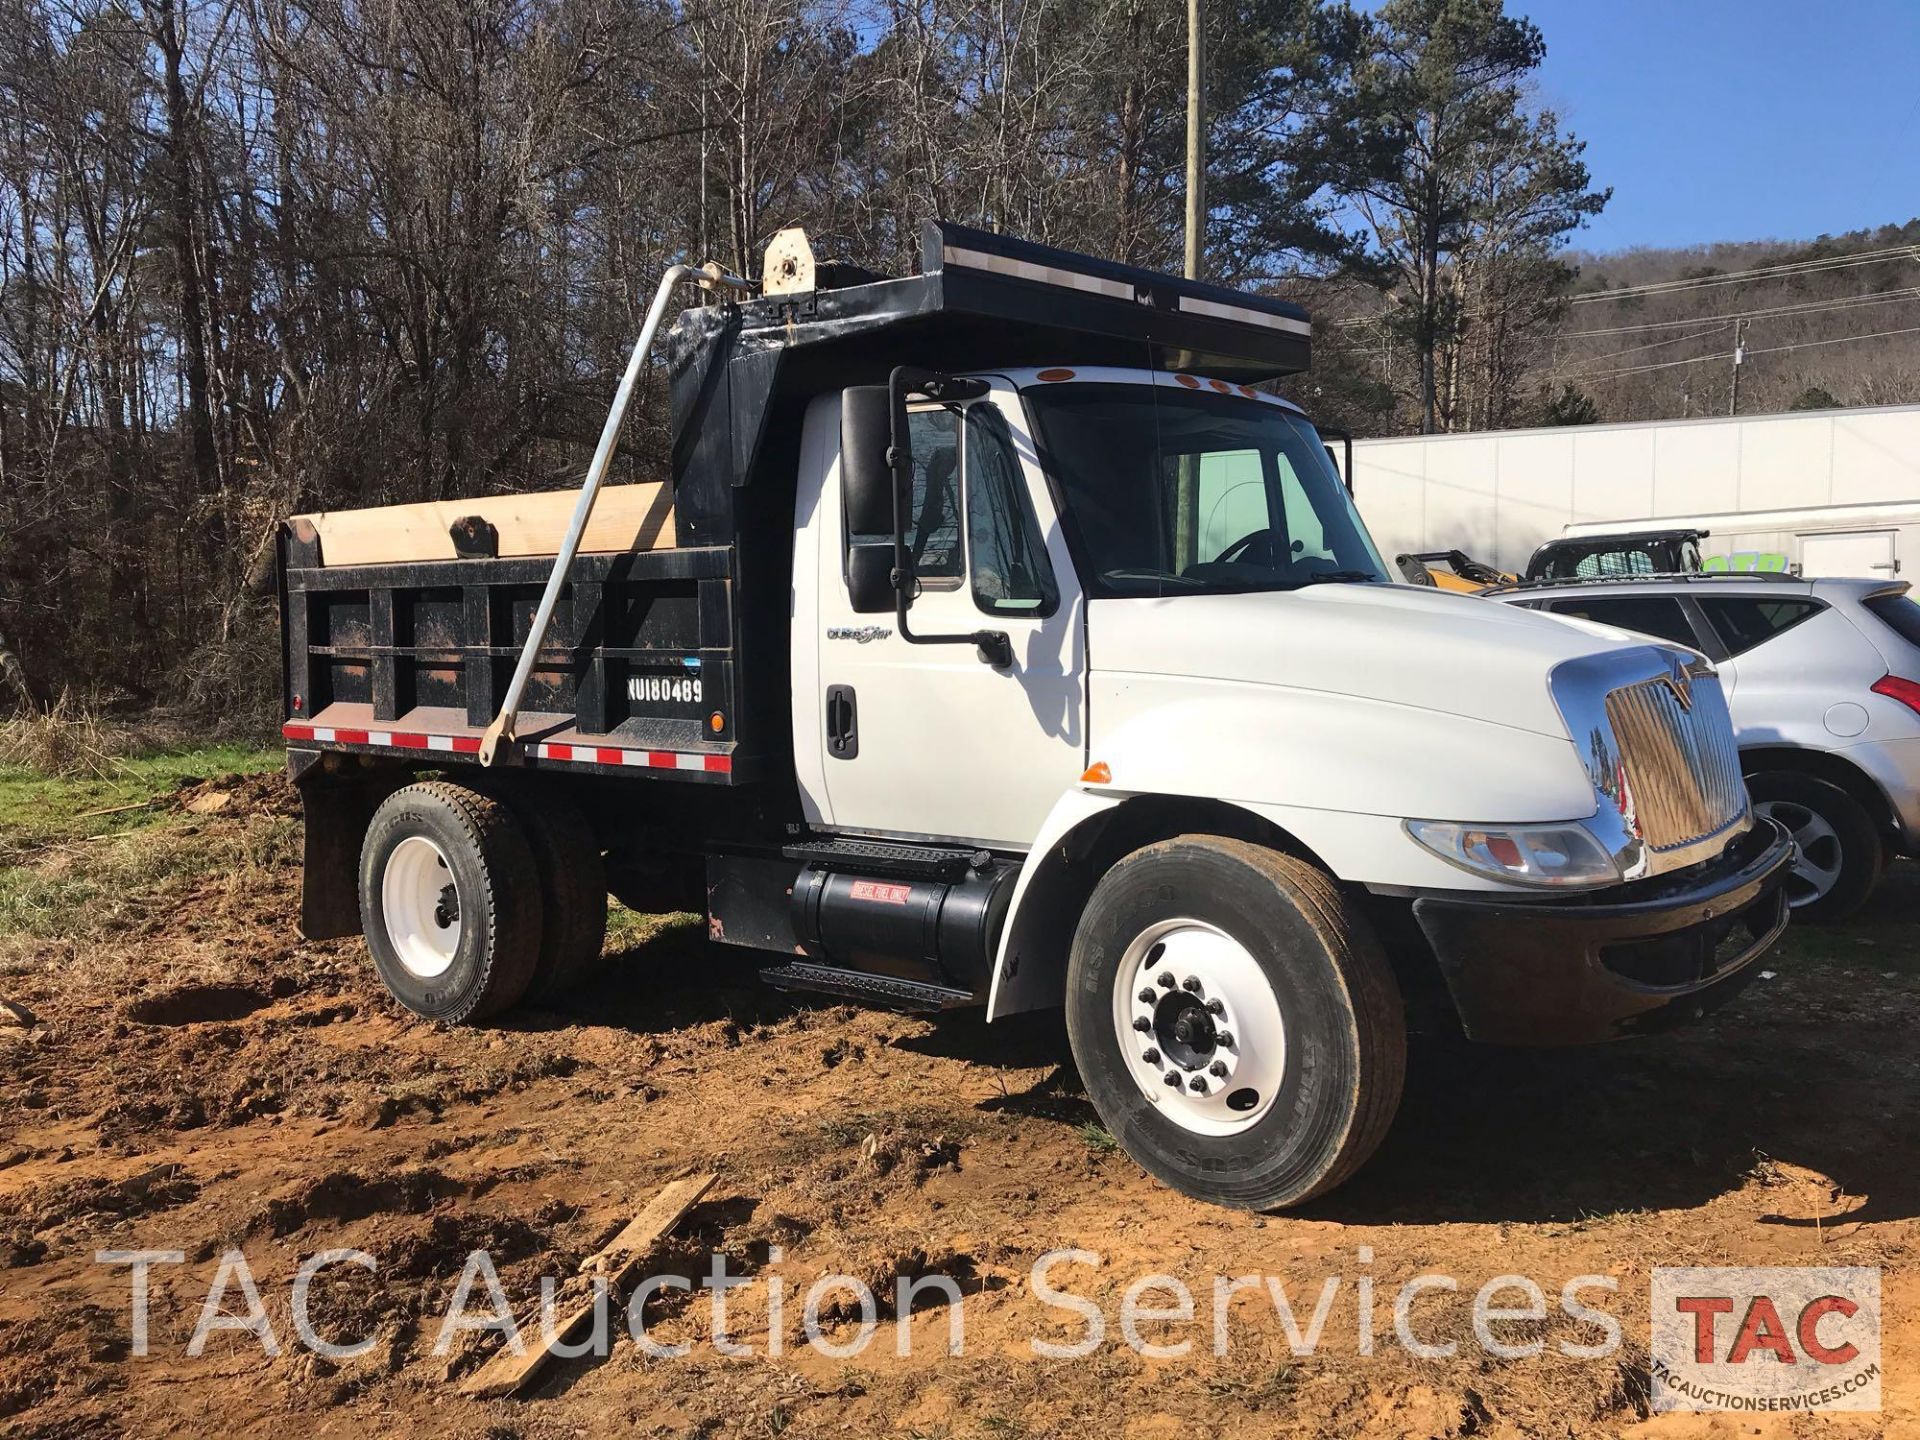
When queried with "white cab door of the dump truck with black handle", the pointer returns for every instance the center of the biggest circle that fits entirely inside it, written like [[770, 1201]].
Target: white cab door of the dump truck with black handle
[[930, 742]]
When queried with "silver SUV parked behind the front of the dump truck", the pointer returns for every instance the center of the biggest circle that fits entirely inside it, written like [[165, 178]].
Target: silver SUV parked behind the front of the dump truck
[[1823, 681]]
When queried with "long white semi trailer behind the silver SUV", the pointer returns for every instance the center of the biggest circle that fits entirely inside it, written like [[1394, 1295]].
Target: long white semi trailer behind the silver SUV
[[1819, 492]]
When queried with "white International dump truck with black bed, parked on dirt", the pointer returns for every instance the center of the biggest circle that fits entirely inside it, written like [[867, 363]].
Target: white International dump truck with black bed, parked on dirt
[[1001, 640]]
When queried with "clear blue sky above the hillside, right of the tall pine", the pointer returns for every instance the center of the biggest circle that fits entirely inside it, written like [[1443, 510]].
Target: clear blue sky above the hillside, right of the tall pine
[[1716, 120]]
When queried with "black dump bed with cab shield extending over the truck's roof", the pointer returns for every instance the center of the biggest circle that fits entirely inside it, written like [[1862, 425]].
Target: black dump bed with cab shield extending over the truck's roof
[[673, 661]]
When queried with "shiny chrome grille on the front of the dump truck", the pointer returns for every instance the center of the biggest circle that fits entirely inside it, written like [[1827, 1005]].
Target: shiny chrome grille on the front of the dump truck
[[1681, 759]]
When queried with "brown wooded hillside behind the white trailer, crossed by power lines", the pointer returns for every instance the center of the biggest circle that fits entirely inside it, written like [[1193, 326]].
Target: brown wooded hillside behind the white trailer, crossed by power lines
[[1648, 335]]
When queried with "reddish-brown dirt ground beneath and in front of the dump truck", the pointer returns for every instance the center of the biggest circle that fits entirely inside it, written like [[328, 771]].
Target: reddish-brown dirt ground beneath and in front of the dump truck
[[201, 1080]]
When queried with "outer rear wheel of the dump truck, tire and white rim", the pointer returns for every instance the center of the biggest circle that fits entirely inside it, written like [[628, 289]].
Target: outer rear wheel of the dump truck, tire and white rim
[[450, 903]]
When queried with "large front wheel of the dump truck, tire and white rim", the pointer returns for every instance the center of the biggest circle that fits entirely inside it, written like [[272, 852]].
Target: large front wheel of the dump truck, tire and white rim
[[1299, 1099]]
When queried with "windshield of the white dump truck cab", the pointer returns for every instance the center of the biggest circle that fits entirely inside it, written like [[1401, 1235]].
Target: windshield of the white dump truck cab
[[1176, 492]]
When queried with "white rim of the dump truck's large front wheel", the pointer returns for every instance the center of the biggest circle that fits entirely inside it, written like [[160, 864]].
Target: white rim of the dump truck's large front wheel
[[1193, 1005]]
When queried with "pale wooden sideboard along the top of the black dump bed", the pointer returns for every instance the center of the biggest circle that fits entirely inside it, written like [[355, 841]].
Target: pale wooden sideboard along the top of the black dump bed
[[625, 519]]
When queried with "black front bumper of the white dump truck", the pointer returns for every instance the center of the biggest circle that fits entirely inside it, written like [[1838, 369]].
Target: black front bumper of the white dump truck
[[1595, 969]]
